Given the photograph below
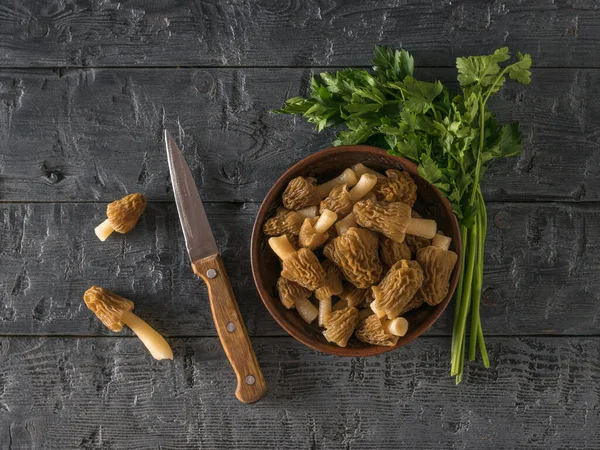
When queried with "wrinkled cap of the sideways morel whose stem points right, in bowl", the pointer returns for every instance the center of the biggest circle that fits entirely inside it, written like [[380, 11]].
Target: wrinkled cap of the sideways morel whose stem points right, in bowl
[[389, 219]]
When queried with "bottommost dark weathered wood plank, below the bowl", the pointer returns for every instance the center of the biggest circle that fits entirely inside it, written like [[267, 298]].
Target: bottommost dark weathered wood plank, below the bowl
[[57, 393]]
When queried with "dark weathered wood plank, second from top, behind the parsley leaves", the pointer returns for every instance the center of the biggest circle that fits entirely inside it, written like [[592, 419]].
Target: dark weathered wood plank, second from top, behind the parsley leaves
[[94, 134]]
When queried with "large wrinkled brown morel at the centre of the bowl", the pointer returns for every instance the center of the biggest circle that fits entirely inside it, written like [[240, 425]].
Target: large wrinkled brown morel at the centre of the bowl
[[355, 253]]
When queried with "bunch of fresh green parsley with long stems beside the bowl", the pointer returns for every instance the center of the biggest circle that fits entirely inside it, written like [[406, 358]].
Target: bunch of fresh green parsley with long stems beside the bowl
[[451, 136]]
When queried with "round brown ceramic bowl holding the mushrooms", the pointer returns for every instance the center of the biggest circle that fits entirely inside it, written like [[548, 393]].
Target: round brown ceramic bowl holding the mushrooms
[[324, 165]]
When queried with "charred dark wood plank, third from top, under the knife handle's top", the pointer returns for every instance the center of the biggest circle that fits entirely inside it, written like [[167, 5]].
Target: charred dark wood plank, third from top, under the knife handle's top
[[542, 262]]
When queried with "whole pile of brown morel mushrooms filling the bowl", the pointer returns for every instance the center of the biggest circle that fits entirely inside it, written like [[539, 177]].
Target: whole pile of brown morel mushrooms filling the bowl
[[356, 238]]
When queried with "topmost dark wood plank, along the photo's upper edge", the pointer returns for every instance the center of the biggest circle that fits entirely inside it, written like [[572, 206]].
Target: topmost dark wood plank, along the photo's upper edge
[[308, 33]]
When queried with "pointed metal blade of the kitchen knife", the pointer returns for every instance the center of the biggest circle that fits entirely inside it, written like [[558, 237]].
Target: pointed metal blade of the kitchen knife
[[199, 239]]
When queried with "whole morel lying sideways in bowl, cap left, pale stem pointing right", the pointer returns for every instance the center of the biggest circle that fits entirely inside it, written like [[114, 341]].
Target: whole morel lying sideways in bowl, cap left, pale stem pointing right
[[392, 220]]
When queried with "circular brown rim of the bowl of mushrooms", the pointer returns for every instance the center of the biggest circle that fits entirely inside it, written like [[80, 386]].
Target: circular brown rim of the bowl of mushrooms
[[278, 314]]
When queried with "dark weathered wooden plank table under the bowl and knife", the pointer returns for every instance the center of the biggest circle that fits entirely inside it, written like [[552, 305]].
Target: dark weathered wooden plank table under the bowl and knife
[[85, 90]]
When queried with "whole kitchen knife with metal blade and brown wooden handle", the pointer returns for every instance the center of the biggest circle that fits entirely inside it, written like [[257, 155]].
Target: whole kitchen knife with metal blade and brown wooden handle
[[207, 264]]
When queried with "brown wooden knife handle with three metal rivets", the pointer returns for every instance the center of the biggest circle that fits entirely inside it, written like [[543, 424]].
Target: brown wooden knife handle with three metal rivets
[[231, 329]]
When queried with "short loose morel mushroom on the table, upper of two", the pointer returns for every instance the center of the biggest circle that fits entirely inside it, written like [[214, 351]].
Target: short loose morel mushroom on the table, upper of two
[[122, 215]]
